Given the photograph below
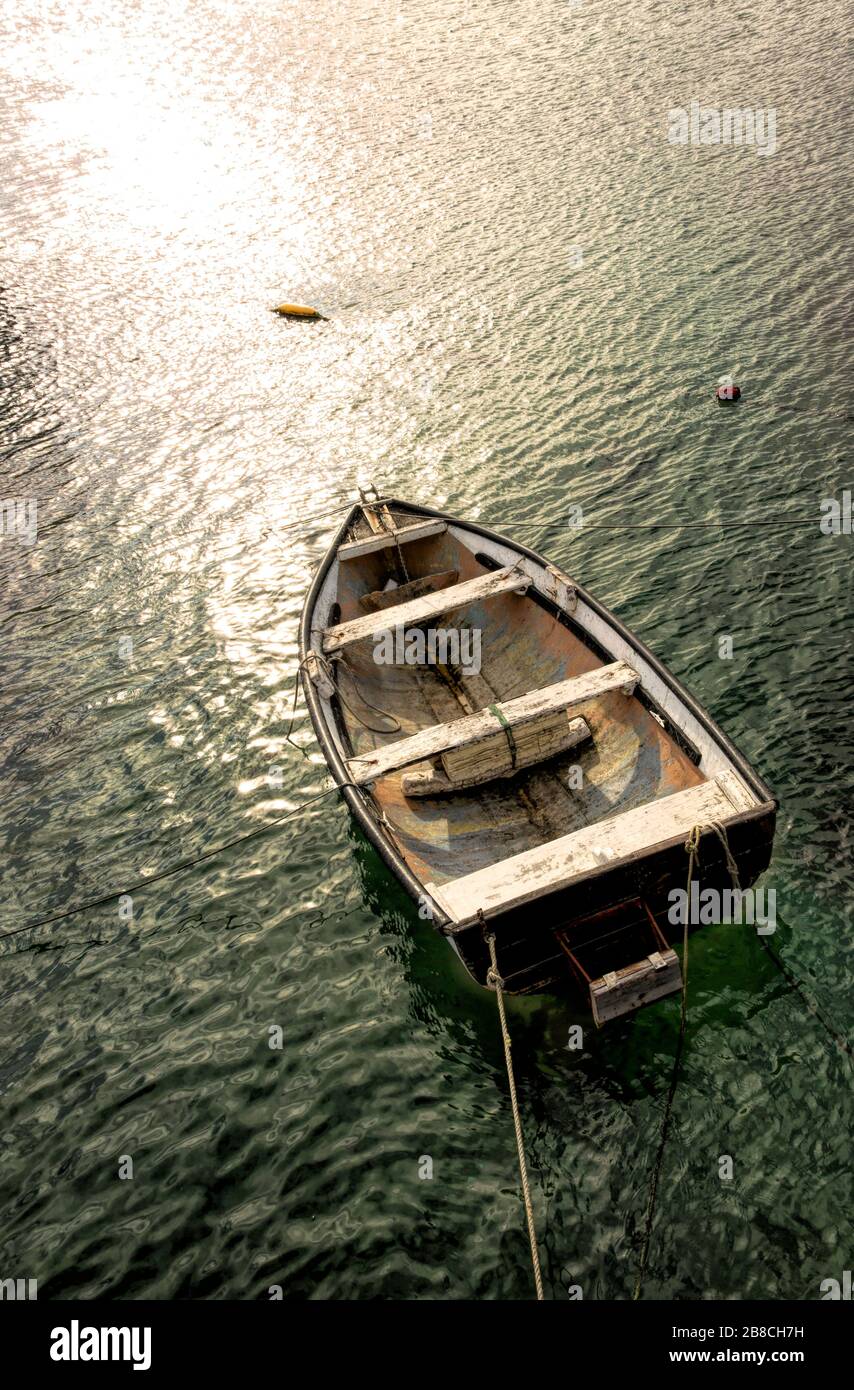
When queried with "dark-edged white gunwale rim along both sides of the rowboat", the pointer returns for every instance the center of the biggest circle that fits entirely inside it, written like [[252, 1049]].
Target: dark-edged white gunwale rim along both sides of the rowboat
[[360, 800]]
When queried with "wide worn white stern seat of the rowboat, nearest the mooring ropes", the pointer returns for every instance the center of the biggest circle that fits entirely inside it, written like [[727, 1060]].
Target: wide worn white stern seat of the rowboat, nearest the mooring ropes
[[525, 878]]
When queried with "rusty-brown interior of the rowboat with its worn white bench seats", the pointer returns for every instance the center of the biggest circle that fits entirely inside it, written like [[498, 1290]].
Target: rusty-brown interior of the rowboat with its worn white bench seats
[[543, 743]]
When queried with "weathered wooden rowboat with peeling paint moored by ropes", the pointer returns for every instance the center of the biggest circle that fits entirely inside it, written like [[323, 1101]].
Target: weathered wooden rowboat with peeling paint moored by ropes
[[543, 786]]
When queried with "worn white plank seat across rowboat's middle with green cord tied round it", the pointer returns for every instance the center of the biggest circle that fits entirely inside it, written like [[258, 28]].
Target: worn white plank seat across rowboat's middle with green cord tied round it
[[472, 729]]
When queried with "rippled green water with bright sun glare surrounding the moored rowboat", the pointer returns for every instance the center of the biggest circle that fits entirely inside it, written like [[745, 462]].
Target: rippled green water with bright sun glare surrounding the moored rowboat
[[531, 297]]
